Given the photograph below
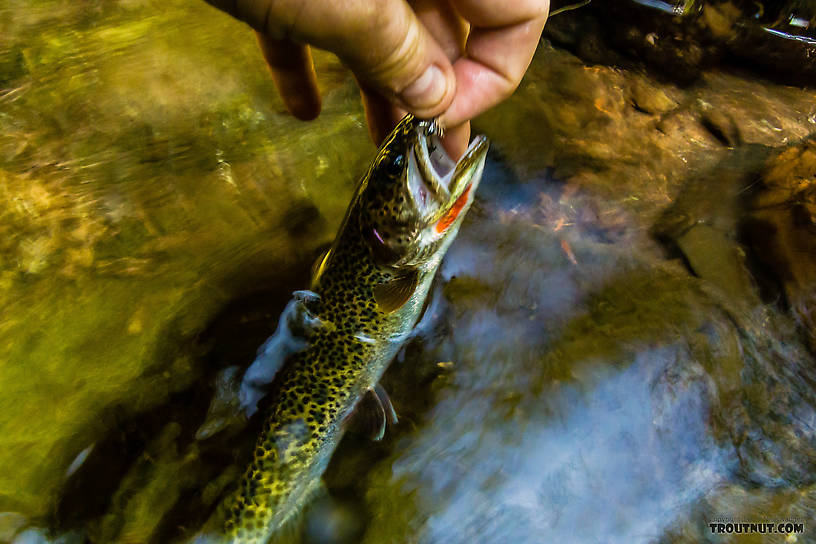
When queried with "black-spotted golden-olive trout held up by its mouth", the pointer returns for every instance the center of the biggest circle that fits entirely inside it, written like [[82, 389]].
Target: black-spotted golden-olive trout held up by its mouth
[[366, 296]]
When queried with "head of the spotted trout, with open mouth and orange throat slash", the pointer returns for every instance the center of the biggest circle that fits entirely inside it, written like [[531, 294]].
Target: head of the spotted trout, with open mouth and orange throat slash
[[417, 196]]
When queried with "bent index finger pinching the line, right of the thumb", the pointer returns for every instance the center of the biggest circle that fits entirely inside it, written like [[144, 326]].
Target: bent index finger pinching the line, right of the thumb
[[503, 38]]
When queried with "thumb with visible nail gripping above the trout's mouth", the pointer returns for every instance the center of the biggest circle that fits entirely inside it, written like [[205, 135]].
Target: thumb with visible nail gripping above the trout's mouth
[[382, 42]]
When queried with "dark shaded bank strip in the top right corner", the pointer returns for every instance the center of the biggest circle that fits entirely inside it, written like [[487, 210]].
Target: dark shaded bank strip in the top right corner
[[679, 39]]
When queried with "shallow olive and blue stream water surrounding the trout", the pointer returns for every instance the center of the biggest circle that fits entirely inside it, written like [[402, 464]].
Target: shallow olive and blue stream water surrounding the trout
[[620, 348]]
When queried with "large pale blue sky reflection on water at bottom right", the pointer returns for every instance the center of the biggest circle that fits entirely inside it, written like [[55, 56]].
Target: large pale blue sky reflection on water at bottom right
[[625, 456]]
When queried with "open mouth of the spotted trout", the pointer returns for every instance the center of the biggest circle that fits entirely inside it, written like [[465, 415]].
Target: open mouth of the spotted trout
[[438, 184]]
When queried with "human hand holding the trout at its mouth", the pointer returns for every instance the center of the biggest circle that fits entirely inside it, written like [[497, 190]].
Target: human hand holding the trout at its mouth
[[448, 58]]
